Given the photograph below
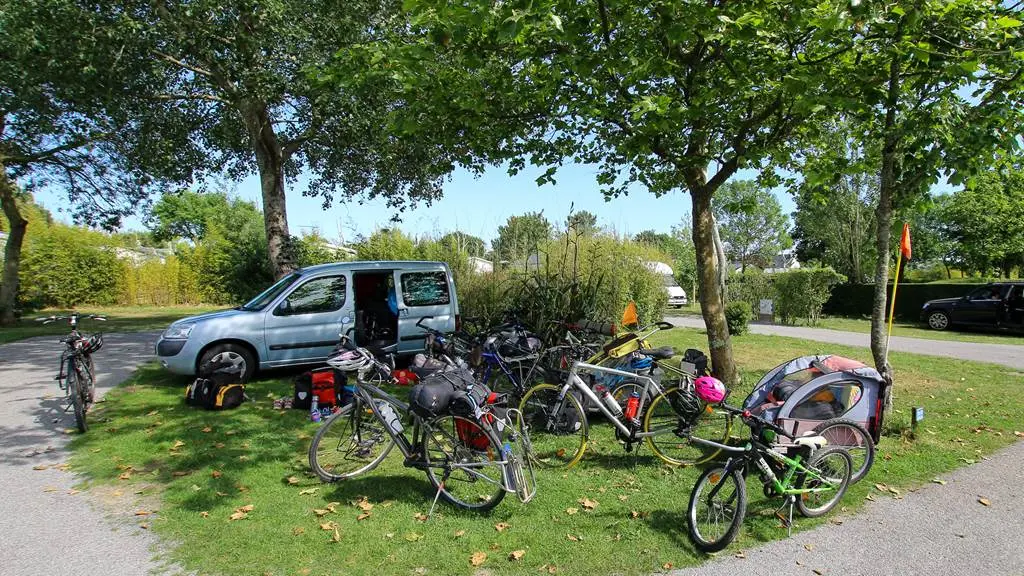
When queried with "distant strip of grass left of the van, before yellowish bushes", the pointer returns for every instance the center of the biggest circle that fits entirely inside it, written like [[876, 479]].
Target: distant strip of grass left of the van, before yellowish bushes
[[119, 319]]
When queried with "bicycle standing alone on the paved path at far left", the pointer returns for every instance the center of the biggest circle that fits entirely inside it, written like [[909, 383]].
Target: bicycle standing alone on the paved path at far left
[[77, 377]]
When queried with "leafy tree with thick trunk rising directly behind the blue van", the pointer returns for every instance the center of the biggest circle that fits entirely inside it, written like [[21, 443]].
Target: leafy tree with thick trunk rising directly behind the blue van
[[241, 71]]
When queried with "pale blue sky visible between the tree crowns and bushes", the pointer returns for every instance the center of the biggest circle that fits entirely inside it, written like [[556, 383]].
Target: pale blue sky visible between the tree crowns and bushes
[[475, 205]]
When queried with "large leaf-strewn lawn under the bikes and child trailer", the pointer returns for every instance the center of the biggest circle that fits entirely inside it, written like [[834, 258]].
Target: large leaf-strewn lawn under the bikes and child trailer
[[199, 468]]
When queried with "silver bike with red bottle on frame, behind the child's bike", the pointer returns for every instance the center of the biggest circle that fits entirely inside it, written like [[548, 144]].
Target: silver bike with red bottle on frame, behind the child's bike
[[669, 420]]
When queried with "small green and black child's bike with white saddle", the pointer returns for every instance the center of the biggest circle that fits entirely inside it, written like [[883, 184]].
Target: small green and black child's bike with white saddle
[[815, 480]]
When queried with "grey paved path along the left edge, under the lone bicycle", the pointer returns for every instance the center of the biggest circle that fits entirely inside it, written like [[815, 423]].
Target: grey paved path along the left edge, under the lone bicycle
[[46, 528]]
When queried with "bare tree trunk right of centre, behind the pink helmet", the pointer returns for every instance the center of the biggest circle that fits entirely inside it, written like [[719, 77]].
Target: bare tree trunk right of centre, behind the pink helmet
[[712, 307]]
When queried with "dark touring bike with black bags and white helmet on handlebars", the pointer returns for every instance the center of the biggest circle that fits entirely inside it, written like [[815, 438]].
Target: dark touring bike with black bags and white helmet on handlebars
[[459, 451]]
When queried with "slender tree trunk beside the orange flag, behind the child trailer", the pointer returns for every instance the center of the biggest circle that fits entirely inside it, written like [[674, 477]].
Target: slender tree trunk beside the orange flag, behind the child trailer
[[883, 226]]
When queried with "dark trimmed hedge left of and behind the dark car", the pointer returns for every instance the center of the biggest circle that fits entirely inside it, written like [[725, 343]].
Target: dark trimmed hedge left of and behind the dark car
[[856, 300]]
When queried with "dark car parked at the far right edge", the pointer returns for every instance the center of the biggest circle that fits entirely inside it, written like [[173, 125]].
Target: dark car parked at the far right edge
[[997, 306]]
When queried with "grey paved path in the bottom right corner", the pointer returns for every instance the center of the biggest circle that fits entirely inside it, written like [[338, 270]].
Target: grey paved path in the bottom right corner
[[936, 530]]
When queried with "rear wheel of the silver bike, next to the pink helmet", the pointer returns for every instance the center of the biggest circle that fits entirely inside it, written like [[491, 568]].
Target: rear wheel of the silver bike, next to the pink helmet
[[677, 416]]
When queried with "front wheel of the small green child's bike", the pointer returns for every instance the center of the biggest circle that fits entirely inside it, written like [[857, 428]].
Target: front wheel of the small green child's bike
[[715, 521]]
